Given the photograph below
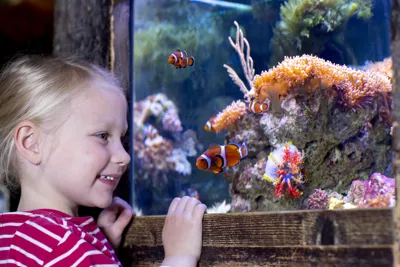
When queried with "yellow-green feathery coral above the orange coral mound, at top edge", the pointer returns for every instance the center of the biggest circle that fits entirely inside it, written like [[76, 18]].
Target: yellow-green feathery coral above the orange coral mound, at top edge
[[307, 25]]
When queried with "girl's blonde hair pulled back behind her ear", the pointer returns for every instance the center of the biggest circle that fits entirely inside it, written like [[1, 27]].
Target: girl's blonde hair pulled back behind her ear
[[40, 89]]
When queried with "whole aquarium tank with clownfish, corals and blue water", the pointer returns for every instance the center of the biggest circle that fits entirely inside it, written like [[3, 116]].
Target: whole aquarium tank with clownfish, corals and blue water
[[258, 105]]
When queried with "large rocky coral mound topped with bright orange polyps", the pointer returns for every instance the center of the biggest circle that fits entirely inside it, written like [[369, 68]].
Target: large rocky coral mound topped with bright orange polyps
[[338, 117]]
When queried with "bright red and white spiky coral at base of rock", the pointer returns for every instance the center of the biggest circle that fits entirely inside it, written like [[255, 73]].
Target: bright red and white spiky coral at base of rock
[[284, 168]]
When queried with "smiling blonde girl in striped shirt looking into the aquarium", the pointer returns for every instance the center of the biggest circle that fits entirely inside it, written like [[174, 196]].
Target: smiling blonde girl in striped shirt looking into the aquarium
[[61, 123]]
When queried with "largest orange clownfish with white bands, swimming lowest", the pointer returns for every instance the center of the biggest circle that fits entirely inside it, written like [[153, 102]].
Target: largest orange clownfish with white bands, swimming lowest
[[216, 158]]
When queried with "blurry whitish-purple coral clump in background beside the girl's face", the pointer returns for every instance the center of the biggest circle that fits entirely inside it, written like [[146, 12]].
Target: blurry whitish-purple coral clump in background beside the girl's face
[[158, 156]]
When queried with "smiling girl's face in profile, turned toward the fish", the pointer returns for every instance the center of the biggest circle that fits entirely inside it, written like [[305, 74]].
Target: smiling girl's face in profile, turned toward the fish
[[85, 158]]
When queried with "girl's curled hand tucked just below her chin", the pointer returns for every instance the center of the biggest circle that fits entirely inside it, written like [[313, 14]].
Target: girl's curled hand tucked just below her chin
[[113, 225]]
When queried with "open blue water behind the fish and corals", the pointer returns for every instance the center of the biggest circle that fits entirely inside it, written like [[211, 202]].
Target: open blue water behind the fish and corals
[[202, 29]]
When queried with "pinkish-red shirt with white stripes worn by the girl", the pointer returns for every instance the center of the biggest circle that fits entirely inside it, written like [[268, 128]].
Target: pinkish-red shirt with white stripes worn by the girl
[[51, 238]]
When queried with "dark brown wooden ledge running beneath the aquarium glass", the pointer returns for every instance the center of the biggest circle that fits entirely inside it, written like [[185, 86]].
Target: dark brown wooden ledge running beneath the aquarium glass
[[358, 237]]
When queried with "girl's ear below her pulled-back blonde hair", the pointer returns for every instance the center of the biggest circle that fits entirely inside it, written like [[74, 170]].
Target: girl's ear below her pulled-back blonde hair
[[26, 138]]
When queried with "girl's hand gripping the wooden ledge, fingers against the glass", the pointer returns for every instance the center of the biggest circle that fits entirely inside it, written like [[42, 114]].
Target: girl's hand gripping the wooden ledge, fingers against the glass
[[182, 232]]
